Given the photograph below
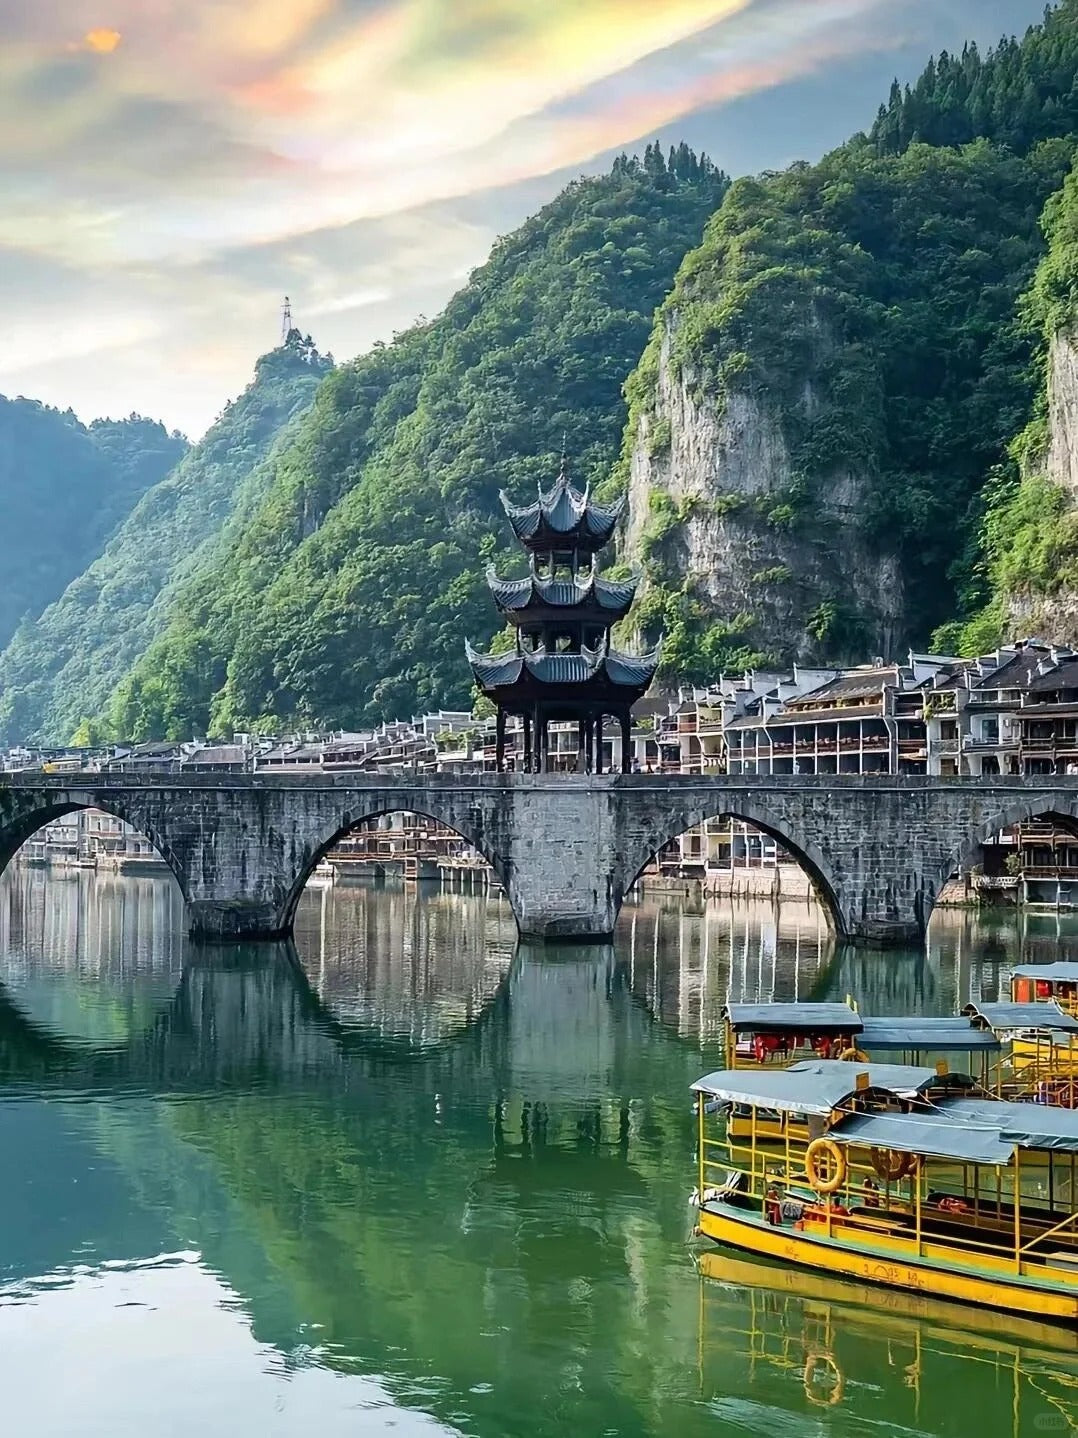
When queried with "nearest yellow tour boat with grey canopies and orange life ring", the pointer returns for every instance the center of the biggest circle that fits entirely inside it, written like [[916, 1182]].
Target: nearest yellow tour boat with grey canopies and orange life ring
[[911, 1178]]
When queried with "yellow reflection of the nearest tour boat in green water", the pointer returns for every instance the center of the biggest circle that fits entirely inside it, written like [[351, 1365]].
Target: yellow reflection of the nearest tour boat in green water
[[801, 1341]]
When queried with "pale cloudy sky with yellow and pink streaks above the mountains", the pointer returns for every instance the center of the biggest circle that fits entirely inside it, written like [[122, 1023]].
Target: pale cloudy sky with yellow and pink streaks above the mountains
[[173, 169]]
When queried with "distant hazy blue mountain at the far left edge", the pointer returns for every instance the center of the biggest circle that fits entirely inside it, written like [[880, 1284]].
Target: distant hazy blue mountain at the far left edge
[[64, 490]]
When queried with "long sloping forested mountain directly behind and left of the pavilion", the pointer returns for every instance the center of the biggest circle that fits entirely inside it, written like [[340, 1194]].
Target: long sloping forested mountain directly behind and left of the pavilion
[[347, 593]]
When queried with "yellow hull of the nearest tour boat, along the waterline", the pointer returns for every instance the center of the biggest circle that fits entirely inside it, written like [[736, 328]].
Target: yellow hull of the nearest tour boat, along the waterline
[[888, 1269]]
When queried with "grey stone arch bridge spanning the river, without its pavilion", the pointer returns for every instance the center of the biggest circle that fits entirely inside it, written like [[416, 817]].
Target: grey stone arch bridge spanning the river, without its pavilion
[[566, 848]]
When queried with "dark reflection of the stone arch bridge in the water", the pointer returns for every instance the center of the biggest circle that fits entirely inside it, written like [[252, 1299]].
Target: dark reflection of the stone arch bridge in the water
[[248, 1020]]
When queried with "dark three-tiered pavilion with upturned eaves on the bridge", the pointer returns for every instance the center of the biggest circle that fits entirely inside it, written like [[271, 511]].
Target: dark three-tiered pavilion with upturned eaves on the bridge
[[563, 665]]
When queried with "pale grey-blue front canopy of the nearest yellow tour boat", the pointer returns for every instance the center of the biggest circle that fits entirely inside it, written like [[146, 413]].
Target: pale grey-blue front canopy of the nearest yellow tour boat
[[820, 1088]]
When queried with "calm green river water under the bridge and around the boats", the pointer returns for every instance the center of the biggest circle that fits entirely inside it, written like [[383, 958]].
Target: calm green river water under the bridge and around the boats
[[407, 1178]]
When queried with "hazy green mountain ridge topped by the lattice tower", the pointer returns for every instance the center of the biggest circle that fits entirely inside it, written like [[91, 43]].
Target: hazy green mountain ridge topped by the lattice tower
[[64, 665]]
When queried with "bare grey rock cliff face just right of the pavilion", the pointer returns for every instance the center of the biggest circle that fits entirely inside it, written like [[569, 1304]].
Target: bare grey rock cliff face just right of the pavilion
[[790, 574]]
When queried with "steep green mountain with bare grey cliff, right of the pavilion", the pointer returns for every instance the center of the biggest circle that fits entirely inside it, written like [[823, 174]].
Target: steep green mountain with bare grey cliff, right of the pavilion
[[842, 367]]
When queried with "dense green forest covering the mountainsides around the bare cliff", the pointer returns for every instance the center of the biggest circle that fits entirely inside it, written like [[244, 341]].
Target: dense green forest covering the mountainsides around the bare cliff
[[883, 313]]
